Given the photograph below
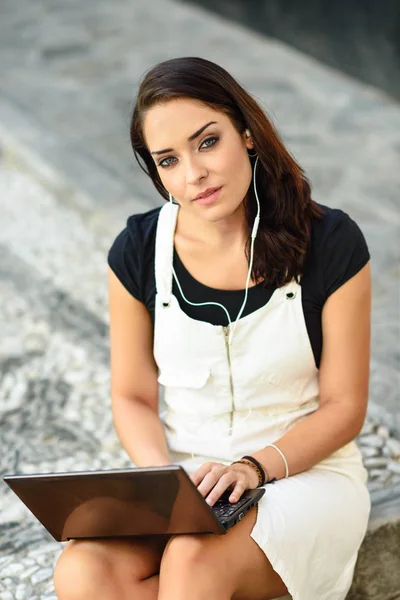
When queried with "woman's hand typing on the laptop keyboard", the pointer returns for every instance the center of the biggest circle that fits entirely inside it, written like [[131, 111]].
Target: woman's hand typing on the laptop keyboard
[[214, 478]]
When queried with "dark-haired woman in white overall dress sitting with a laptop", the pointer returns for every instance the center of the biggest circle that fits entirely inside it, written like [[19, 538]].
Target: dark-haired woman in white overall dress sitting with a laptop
[[250, 303]]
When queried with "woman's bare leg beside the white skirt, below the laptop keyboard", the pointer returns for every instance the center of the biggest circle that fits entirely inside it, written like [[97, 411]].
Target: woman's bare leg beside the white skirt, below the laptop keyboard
[[218, 567]]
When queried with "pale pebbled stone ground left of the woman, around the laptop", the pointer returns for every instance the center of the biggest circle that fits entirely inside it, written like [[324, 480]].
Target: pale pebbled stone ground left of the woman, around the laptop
[[55, 412]]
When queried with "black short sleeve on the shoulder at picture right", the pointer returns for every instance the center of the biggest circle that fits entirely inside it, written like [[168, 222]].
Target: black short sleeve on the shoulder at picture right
[[344, 254]]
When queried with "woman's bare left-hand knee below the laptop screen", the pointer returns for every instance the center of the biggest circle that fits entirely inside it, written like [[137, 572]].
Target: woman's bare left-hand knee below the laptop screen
[[81, 571]]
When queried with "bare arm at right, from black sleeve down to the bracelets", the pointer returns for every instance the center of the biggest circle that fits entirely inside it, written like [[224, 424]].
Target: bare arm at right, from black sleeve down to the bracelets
[[343, 383]]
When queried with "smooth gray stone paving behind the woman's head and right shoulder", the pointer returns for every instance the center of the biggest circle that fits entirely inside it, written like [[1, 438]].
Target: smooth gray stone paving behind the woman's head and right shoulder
[[69, 76]]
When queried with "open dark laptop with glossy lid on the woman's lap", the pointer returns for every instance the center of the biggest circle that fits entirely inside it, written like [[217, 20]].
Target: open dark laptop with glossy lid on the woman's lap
[[126, 502]]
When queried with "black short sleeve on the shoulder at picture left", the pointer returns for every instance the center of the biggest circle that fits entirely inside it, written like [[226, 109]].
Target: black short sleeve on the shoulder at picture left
[[123, 259]]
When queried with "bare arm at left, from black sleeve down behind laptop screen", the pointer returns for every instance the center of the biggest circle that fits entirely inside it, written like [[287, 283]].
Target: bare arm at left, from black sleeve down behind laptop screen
[[134, 385]]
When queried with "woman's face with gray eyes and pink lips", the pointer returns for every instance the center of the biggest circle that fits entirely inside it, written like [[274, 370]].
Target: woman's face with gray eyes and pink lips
[[216, 158]]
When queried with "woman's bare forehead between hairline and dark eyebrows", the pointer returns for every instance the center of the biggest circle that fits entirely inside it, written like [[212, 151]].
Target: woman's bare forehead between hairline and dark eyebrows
[[177, 119]]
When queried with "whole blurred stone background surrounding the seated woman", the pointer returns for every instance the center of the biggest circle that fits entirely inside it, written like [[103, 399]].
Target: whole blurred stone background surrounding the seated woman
[[327, 74]]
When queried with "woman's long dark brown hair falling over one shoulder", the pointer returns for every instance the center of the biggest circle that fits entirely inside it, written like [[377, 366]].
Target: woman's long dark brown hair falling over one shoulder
[[286, 207]]
